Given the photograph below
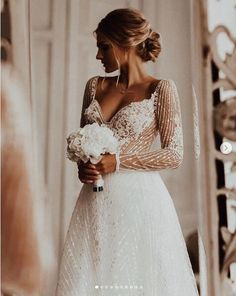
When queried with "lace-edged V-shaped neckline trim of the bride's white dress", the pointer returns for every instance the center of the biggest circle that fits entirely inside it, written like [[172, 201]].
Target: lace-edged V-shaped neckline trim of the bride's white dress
[[152, 95]]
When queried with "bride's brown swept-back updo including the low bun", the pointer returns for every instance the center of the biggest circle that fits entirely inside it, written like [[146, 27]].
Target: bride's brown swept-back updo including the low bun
[[128, 27]]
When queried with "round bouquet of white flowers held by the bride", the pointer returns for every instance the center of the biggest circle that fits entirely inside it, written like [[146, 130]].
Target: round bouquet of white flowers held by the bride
[[89, 144]]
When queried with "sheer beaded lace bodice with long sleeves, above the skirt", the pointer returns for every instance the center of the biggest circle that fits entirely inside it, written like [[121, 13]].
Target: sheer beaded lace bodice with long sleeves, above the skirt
[[137, 124]]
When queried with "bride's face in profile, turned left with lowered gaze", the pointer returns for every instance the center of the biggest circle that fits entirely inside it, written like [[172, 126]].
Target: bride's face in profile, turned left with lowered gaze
[[108, 54]]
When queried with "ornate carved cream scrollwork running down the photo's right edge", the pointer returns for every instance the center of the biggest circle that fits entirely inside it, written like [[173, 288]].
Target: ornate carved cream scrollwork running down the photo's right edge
[[220, 112]]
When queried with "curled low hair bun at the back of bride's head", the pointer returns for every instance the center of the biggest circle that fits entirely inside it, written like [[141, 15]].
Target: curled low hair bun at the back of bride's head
[[150, 48]]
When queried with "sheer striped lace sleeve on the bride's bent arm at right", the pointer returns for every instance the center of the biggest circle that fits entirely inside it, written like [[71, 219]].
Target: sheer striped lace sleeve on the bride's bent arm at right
[[169, 124]]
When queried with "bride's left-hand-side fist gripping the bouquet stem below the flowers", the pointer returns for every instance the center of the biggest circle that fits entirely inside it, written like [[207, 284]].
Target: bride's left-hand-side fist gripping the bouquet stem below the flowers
[[87, 172]]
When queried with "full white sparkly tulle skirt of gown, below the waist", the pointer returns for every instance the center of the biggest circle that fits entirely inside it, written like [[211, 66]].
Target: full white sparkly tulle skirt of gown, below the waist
[[126, 240]]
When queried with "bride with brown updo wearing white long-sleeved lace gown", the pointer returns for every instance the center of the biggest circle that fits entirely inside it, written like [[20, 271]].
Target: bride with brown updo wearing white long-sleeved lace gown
[[127, 240]]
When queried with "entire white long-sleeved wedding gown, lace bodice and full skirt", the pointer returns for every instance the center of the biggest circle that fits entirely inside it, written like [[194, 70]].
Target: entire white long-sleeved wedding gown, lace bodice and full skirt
[[127, 239]]
